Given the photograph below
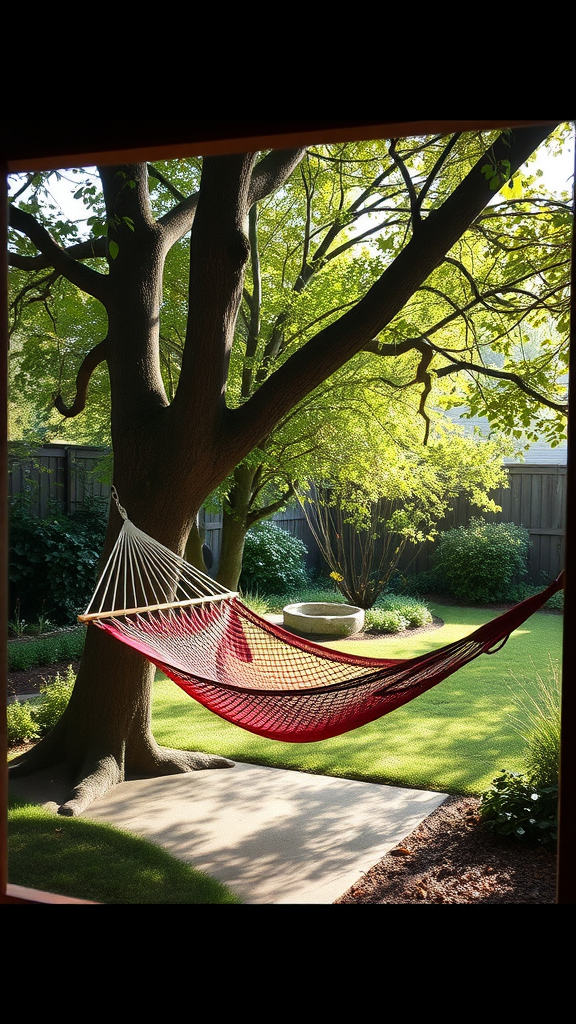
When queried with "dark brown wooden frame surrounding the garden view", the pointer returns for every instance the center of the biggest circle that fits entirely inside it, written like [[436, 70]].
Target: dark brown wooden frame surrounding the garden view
[[46, 145]]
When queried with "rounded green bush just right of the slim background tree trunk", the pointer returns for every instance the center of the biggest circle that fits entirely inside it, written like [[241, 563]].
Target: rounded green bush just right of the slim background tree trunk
[[274, 562]]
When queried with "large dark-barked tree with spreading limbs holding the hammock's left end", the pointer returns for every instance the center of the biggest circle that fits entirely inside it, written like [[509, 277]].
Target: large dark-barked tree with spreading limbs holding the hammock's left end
[[170, 456]]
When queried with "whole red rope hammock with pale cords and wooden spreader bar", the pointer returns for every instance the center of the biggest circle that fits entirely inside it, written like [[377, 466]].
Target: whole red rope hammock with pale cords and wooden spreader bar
[[251, 672]]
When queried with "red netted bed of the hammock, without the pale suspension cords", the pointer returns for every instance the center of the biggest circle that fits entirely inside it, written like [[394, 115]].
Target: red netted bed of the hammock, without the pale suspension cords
[[270, 682]]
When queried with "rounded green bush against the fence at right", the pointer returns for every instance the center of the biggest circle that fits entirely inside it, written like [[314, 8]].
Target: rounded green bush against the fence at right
[[480, 564]]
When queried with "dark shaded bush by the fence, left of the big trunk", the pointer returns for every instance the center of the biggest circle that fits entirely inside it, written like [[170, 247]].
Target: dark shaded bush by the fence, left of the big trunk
[[54, 562]]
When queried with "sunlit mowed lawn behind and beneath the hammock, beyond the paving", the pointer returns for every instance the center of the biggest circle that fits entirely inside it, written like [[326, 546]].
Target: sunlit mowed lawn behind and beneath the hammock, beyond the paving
[[456, 739]]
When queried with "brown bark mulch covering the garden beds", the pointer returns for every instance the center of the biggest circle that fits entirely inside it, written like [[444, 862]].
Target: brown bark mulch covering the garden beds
[[449, 859]]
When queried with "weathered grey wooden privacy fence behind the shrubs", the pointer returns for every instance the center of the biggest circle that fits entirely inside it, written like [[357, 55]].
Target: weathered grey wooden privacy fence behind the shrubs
[[68, 476]]
